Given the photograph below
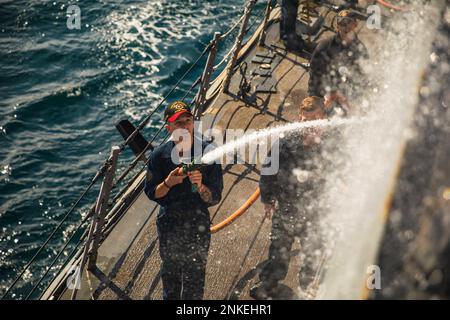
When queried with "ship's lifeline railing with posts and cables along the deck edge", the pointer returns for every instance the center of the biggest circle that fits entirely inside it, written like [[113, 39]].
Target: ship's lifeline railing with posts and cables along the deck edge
[[101, 219]]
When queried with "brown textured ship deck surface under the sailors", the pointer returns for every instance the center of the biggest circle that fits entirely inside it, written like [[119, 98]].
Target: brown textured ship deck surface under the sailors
[[128, 261]]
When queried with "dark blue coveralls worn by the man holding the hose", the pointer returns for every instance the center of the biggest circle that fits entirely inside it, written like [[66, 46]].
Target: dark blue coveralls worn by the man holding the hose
[[183, 224]]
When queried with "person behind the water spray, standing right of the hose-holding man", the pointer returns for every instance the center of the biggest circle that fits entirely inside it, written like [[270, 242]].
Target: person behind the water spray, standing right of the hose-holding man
[[296, 190]]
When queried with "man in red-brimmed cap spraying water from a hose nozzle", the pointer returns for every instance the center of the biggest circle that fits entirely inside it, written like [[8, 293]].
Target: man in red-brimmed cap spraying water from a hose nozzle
[[183, 221]]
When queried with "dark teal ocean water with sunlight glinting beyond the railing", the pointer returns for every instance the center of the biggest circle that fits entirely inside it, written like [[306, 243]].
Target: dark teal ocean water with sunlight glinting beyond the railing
[[62, 91]]
